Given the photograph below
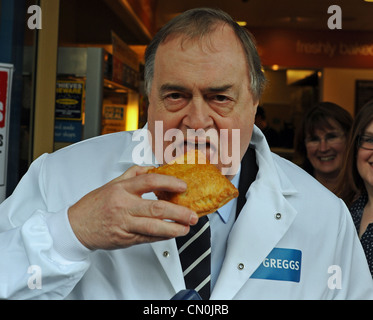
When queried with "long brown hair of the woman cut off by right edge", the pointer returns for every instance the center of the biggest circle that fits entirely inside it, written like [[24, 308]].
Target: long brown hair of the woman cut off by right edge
[[350, 184]]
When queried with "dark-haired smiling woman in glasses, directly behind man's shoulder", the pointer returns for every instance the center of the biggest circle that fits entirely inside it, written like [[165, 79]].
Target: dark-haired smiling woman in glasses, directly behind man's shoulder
[[321, 141]]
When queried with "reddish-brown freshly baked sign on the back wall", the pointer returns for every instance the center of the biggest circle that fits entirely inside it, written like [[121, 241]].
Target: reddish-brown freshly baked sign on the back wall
[[315, 49]]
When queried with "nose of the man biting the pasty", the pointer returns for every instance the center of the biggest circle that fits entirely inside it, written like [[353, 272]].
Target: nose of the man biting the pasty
[[198, 115]]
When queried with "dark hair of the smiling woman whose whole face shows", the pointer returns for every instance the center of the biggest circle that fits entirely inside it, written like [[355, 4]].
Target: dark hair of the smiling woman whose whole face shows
[[320, 117]]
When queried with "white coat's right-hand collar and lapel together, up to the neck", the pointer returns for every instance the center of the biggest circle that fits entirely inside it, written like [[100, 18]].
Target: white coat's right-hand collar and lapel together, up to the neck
[[263, 221]]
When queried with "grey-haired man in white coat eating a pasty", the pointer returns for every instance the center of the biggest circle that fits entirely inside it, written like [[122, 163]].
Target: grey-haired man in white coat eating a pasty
[[291, 240]]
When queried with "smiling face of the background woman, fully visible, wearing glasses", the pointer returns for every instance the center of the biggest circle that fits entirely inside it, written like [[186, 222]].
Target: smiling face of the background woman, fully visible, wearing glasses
[[325, 149]]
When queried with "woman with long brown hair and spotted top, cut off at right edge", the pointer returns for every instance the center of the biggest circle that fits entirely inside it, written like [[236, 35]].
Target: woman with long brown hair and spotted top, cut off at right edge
[[356, 180]]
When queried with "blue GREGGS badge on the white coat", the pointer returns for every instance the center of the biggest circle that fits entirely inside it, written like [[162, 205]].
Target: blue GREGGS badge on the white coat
[[281, 264]]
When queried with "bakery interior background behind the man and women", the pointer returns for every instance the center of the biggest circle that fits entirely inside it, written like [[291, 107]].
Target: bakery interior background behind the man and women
[[94, 49]]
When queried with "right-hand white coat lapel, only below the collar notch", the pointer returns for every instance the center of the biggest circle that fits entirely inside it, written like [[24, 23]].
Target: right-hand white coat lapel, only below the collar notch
[[254, 235]]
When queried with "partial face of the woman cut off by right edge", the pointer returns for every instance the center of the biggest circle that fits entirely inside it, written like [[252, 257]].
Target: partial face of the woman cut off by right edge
[[364, 160]]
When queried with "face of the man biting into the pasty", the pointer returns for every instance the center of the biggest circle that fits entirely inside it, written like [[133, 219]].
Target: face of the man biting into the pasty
[[203, 84]]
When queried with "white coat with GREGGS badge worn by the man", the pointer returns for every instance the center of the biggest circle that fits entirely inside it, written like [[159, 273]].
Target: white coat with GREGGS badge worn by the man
[[285, 208]]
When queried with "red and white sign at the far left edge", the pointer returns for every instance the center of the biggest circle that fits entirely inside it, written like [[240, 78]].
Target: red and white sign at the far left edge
[[6, 74]]
